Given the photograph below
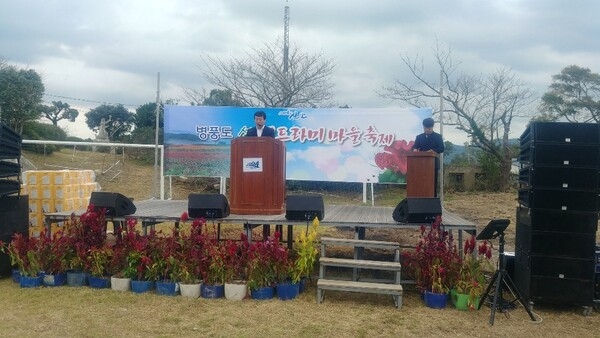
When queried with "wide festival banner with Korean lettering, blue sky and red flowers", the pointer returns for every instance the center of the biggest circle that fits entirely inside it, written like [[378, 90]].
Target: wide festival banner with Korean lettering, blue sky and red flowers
[[322, 144]]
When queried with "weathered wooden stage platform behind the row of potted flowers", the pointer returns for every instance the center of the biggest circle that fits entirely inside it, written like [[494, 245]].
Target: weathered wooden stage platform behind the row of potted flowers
[[360, 218]]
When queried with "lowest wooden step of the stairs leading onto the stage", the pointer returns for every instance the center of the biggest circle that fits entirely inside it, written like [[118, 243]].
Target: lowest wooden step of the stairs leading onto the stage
[[364, 287]]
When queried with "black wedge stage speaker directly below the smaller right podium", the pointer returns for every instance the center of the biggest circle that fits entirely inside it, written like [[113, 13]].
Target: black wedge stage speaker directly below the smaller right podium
[[417, 210]]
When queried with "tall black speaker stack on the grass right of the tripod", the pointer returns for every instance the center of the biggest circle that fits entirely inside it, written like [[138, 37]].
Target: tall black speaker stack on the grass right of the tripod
[[557, 217]]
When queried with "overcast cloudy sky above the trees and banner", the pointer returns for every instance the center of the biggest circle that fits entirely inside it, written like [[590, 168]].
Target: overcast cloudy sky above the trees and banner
[[91, 52]]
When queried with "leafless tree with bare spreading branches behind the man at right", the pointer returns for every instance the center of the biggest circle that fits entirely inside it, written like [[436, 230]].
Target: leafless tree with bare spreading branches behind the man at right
[[482, 106]]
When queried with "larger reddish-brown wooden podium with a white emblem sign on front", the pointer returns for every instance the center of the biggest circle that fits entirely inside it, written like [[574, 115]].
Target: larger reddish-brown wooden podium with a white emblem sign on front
[[257, 175]]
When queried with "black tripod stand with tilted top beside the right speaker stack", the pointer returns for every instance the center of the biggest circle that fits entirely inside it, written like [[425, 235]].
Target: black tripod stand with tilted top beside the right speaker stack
[[501, 275]]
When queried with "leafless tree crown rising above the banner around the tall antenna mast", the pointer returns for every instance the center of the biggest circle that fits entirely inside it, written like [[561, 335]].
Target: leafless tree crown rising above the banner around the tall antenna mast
[[259, 79]]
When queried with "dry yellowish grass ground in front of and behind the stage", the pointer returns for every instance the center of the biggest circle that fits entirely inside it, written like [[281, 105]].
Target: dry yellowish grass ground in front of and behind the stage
[[84, 312]]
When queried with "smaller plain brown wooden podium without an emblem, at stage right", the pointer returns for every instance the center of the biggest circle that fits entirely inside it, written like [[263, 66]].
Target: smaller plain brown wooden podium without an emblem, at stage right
[[420, 174]]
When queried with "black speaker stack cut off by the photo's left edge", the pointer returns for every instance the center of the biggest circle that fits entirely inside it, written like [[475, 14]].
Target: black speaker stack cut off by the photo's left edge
[[14, 208]]
